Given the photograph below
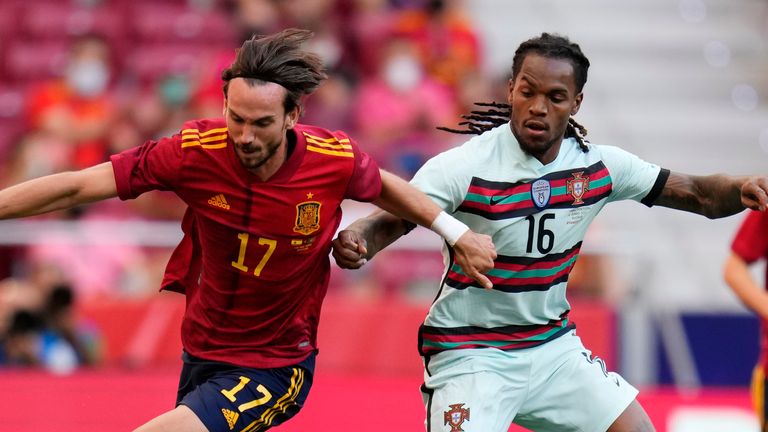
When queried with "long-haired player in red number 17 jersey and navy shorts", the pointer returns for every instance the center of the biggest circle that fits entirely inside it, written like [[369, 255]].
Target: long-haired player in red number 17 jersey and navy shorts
[[263, 195]]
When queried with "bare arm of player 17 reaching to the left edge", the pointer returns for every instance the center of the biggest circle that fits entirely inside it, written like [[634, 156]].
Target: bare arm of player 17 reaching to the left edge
[[58, 191]]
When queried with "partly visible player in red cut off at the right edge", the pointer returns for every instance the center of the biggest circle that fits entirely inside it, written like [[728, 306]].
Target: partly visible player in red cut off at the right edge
[[749, 246]]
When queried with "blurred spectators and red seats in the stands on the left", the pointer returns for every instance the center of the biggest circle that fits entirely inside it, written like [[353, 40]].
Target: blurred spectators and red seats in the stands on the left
[[83, 79]]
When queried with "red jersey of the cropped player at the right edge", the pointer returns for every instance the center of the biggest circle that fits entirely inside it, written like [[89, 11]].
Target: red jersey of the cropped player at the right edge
[[751, 244]]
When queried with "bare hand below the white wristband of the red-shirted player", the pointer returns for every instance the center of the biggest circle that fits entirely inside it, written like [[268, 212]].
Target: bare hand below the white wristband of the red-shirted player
[[475, 254]]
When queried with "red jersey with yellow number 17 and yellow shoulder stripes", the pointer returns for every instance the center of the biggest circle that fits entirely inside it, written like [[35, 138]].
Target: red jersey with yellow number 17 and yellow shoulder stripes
[[253, 262]]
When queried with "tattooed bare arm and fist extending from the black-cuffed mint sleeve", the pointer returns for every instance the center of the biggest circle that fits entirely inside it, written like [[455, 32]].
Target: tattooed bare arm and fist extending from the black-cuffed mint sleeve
[[714, 196]]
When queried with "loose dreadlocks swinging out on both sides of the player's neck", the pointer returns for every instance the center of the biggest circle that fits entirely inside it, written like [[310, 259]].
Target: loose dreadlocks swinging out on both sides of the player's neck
[[497, 114]]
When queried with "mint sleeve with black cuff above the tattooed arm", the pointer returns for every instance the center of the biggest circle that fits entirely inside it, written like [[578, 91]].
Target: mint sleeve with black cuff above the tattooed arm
[[632, 178]]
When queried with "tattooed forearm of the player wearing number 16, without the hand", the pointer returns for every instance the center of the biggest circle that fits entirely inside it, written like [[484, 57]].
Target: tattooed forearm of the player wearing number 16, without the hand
[[713, 196]]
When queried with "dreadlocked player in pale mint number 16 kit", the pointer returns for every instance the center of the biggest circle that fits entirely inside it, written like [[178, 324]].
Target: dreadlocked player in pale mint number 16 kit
[[510, 353]]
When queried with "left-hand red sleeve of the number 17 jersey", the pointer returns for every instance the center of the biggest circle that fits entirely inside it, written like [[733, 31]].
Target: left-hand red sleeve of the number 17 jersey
[[154, 165]]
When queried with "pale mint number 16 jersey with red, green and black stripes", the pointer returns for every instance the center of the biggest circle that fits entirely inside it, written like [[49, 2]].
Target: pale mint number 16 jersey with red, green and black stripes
[[537, 216]]
